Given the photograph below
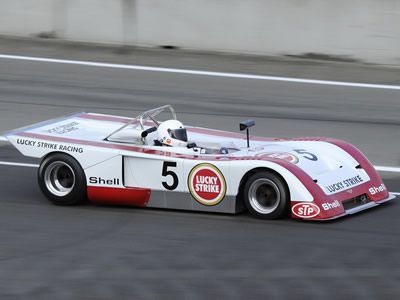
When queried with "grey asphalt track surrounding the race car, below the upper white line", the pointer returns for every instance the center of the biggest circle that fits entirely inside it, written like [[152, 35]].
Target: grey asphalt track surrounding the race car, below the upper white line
[[104, 252]]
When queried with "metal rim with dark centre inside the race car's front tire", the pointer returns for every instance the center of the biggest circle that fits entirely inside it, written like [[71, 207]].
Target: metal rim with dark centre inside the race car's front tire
[[264, 196]]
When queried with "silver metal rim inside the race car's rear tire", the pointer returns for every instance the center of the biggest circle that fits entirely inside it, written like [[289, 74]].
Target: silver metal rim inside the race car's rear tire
[[59, 178]]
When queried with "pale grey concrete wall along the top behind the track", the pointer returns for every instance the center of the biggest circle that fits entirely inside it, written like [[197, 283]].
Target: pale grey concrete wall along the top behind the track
[[367, 30]]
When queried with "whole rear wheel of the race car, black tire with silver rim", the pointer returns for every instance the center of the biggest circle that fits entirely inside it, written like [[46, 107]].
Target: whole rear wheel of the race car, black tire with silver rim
[[62, 180]]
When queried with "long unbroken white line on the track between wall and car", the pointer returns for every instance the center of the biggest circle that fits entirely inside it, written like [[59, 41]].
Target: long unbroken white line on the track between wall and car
[[202, 73]]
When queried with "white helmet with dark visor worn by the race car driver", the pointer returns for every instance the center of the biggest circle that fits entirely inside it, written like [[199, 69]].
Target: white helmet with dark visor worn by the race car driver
[[172, 133]]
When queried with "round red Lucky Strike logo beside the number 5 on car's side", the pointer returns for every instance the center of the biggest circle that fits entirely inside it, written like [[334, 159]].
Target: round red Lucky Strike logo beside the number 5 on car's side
[[207, 184]]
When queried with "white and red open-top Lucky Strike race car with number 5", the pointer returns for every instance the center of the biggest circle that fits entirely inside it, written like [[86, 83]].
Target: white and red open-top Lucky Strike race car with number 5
[[146, 162]]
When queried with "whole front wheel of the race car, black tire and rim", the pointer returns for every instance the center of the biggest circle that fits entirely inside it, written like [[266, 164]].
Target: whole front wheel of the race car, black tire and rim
[[266, 195]]
